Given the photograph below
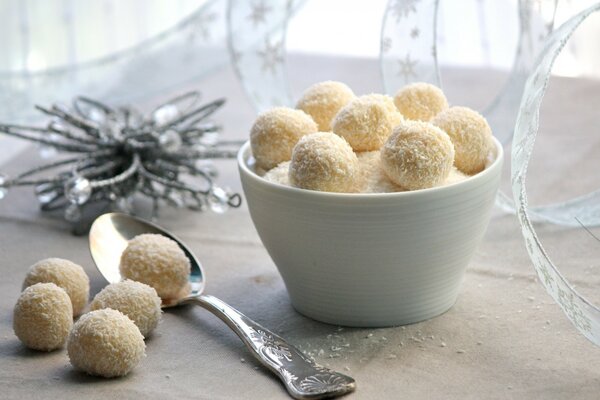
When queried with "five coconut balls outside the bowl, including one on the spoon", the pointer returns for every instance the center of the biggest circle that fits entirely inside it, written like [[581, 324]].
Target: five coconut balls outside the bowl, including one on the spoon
[[108, 340]]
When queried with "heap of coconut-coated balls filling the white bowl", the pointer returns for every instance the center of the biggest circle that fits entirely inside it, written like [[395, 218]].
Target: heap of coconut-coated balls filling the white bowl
[[335, 141]]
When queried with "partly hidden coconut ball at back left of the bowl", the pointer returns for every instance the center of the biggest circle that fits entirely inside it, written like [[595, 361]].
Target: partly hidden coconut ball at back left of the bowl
[[323, 100]]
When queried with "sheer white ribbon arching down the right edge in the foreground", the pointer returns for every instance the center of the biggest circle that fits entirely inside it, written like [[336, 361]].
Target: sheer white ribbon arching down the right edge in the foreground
[[584, 315]]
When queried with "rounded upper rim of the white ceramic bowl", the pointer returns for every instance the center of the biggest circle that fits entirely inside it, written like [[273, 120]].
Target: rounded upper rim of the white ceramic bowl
[[244, 151]]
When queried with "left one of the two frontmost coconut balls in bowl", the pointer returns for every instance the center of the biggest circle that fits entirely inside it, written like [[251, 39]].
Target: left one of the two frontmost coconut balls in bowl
[[324, 161]]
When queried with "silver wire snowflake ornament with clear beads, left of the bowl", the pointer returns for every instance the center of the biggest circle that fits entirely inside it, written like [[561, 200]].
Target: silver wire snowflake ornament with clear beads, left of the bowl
[[110, 155]]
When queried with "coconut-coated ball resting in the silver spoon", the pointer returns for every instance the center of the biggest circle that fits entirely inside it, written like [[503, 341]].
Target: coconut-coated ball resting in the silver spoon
[[157, 261]]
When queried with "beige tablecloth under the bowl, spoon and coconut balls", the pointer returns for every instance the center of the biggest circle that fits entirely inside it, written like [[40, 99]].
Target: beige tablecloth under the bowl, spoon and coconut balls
[[504, 338]]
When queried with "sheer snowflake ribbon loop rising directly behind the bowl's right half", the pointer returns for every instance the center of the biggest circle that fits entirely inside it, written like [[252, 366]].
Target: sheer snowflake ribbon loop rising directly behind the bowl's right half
[[409, 52]]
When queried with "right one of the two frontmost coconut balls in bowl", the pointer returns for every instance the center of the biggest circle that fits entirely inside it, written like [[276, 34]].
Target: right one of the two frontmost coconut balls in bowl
[[418, 155]]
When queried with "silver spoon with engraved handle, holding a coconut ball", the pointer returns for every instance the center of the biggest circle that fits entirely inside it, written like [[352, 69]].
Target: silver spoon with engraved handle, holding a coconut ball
[[302, 377]]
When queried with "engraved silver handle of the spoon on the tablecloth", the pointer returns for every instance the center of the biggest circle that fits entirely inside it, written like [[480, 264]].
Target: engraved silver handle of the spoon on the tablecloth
[[302, 377]]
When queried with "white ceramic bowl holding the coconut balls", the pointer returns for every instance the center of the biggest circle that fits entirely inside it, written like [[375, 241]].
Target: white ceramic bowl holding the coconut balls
[[371, 260]]
